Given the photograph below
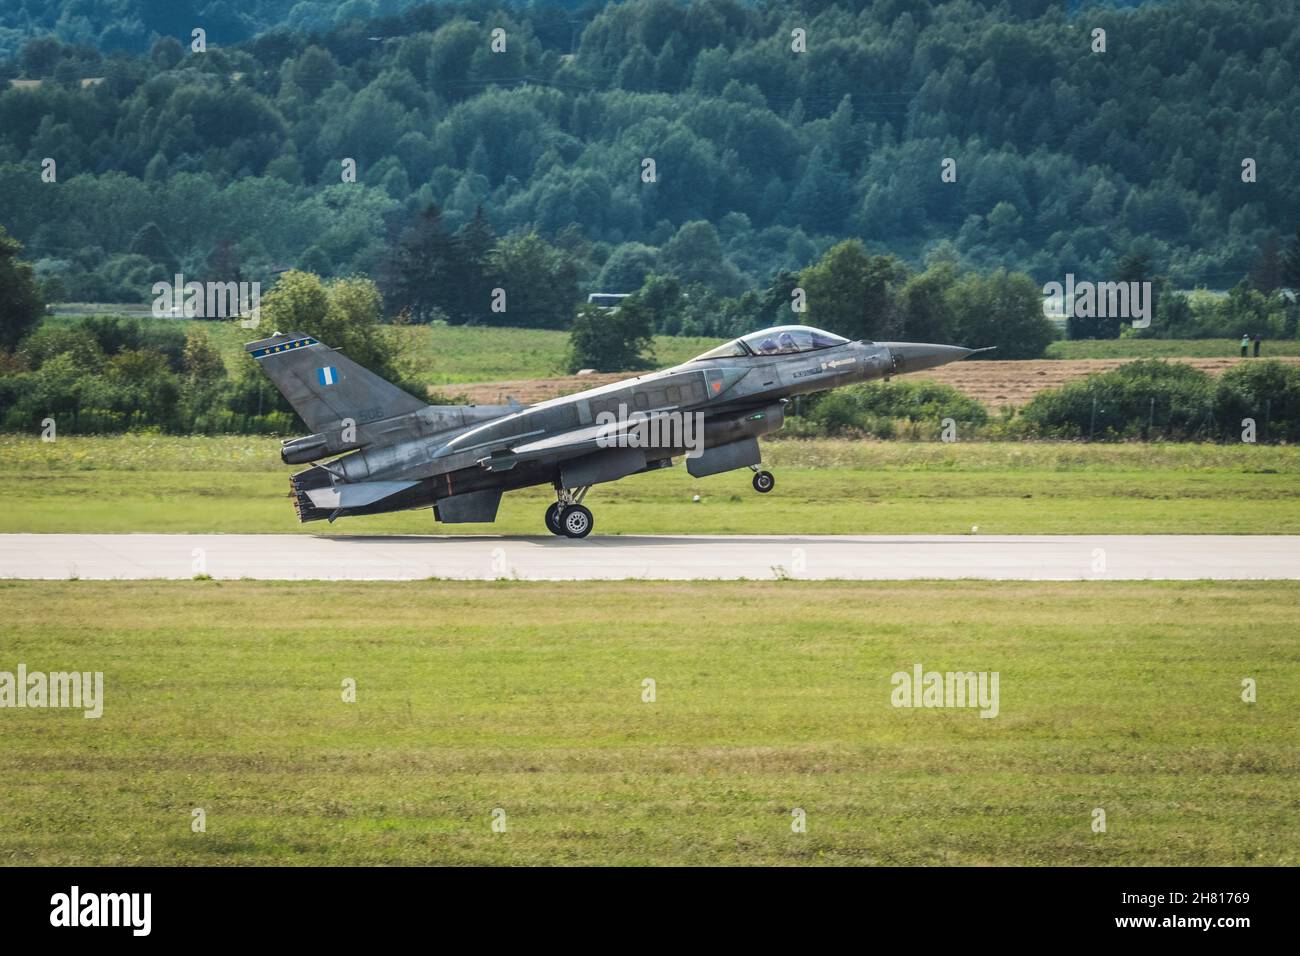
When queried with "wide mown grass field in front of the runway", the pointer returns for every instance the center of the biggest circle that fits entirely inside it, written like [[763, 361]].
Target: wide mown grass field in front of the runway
[[528, 699]]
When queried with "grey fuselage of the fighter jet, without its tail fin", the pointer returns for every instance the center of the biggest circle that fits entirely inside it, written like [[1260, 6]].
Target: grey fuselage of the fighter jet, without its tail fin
[[735, 395]]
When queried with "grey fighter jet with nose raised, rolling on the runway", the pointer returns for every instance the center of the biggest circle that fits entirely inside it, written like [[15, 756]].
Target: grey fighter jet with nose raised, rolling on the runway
[[398, 453]]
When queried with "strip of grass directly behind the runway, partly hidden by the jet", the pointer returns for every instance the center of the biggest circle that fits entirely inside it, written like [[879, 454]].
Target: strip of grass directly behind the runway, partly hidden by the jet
[[237, 485]]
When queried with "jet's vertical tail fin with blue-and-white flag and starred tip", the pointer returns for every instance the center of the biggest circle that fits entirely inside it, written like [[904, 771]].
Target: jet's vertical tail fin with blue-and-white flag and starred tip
[[324, 386]]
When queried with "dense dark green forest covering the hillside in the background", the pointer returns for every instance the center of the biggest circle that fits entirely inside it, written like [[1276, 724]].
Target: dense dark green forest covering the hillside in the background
[[1067, 161]]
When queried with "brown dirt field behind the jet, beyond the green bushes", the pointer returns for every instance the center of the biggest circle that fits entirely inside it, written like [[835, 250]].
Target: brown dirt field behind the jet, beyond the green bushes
[[996, 384]]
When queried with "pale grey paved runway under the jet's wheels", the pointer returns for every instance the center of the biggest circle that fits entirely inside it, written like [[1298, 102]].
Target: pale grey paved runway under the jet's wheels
[[348, 557]]
